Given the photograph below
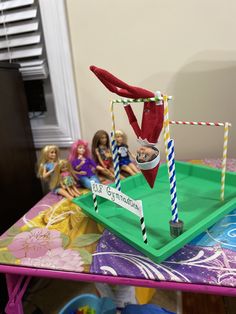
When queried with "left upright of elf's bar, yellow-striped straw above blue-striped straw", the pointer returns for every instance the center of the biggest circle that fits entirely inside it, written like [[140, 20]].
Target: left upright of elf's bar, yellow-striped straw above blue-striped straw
[[114, 150]]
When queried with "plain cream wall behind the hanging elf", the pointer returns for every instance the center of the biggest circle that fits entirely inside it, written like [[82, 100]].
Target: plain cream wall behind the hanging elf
[[185, 48]]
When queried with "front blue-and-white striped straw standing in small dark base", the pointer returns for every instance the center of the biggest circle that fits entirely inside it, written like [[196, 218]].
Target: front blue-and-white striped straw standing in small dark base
[[172, 178]]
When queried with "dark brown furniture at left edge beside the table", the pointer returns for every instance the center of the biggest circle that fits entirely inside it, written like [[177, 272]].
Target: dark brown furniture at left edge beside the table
[[20, 188]]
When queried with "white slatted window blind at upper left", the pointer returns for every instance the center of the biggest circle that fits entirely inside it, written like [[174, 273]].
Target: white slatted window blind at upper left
[[21, 37]]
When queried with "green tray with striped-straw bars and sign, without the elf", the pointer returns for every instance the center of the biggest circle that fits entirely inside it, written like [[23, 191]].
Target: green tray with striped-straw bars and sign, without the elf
[[193, 180]]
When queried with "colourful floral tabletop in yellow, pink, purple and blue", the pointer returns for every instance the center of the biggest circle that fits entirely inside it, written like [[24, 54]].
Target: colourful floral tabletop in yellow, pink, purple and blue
[[55, 234]]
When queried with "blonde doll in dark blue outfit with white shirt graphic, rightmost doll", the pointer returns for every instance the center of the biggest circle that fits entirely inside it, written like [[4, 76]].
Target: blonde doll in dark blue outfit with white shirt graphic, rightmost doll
[[124, 154]]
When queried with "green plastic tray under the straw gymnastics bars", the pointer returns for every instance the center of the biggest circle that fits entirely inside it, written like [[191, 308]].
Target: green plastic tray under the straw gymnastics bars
[[198, 193]]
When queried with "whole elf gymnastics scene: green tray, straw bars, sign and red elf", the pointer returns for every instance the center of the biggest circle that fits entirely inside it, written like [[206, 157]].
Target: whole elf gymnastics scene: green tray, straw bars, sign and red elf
[[152, 195]]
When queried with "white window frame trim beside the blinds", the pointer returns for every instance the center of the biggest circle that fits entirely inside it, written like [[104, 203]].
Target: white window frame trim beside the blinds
[[56, 36]]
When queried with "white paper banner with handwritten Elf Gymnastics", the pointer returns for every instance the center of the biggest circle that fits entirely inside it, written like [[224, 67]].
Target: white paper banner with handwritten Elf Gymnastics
[[117, 197]]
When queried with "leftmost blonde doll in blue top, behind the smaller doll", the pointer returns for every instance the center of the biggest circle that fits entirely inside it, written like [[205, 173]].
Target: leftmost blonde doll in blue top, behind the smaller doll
[[48, 160]]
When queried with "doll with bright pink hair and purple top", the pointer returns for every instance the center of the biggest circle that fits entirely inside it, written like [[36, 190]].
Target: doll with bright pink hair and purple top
[[84, 167]]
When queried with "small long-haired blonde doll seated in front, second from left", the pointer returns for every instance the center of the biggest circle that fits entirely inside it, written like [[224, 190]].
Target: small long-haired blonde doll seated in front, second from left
[[63, 180]]
